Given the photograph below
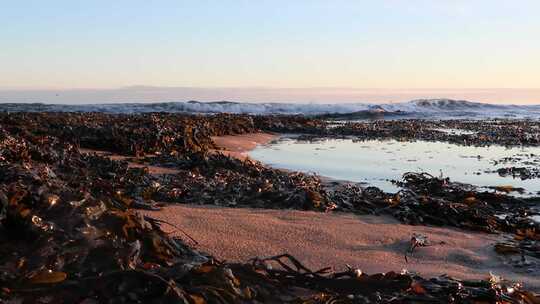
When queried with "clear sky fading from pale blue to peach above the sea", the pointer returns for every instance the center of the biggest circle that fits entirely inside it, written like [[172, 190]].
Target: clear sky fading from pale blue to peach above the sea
[[47, 47]]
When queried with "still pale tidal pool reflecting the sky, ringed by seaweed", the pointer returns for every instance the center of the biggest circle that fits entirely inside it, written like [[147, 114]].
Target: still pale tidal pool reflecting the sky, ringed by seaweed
[[376, 162]]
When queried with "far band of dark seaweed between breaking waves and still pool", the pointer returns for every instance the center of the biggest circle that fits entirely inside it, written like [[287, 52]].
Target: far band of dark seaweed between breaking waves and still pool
[[158, 132]]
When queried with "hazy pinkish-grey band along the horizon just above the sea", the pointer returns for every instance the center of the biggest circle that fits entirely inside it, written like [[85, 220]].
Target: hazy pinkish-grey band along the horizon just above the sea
[[328, 95]]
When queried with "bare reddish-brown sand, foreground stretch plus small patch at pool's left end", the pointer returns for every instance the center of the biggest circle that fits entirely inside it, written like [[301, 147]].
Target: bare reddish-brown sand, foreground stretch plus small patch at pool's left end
[[371, 243]]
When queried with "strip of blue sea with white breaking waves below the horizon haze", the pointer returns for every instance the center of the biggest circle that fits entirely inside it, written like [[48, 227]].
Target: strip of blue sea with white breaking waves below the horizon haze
[[421, 108]]
